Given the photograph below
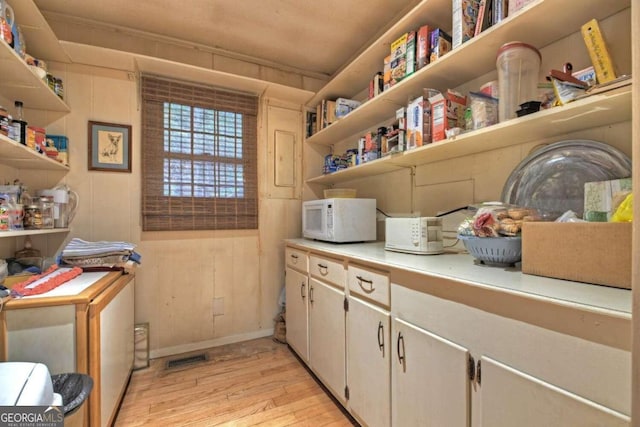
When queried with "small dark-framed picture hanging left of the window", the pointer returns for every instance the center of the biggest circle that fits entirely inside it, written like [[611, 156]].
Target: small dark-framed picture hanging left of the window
[[109, 147]]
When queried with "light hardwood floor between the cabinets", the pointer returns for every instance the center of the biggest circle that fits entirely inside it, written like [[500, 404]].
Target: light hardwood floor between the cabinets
[[258, 382]]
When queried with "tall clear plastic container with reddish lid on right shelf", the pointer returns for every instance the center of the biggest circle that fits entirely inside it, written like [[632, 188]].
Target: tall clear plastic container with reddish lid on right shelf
[[518, 67]]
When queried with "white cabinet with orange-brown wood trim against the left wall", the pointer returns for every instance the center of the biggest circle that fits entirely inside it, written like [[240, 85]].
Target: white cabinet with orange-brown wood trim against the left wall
[[88, 331]]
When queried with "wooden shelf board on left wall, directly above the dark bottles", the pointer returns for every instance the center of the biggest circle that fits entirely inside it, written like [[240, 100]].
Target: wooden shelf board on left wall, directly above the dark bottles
[[18, 82]]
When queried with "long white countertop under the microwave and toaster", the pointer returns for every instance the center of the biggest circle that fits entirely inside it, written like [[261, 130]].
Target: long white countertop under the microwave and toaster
[[462, 267]]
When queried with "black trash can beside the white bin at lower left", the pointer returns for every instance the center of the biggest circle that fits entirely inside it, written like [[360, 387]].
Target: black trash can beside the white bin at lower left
[[74, 389]]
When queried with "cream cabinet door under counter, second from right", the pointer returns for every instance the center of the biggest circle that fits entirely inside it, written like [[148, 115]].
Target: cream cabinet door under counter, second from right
[[430, 385]]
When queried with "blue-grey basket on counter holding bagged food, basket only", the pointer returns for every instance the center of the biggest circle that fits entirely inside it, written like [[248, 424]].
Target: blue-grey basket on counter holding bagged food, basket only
[[495, 251]]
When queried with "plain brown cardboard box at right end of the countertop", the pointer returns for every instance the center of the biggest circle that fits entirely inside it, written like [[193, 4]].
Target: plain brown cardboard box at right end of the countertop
[[593, 252]]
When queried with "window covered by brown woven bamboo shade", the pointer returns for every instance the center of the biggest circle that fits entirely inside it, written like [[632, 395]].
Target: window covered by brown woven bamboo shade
[[199, 157]]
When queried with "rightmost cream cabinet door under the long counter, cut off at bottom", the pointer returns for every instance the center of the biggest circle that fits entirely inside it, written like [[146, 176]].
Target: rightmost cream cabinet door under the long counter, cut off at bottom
[[512, 398]]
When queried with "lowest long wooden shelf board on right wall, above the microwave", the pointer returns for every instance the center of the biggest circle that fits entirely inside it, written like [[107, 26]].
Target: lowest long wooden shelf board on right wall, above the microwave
[[593, 111]]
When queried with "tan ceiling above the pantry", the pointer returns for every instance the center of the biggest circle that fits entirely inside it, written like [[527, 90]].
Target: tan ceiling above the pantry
[[317, 36]]
